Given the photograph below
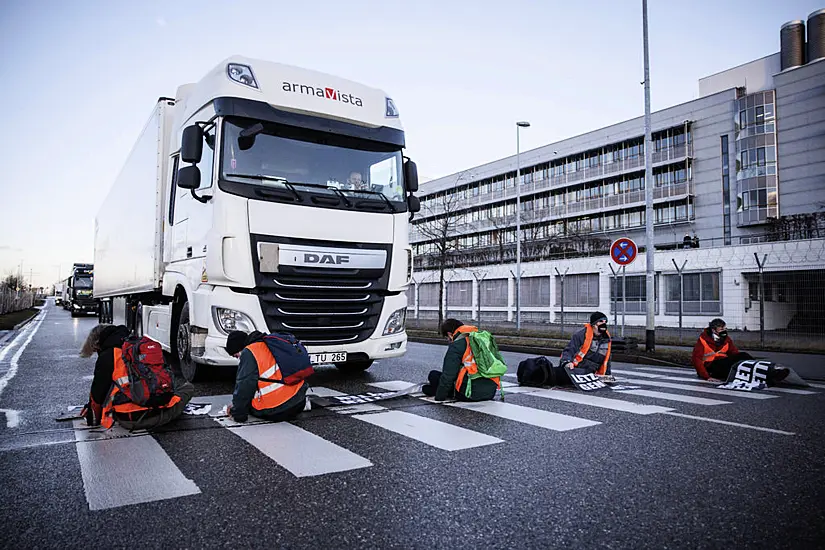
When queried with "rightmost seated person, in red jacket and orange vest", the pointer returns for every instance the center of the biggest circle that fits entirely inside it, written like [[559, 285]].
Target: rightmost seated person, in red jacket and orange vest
[[715, 354]]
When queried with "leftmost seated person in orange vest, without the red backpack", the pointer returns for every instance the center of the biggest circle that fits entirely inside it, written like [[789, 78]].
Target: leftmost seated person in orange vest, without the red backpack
[[107, 341]]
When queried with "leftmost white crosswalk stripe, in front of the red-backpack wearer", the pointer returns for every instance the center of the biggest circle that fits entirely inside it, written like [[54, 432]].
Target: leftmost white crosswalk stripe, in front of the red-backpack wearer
[[114, 471]]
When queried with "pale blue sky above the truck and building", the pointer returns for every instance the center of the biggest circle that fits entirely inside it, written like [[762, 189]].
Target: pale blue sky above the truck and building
[[79, 78]]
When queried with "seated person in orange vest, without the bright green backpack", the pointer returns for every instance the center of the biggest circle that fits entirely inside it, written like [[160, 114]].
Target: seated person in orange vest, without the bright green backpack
[[452, 380]]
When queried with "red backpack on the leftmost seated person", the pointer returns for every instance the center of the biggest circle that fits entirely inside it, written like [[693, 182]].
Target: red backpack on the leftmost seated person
[[151, 382]]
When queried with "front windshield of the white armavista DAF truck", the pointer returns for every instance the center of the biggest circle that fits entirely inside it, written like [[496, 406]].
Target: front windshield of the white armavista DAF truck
[[288, 158]]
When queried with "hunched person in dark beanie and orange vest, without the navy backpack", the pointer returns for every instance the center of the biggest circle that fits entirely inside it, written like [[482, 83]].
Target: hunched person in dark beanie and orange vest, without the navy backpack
[[259, 390]]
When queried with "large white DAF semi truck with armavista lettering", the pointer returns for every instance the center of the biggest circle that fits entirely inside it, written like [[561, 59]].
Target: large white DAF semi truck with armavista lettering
[[264, 197]]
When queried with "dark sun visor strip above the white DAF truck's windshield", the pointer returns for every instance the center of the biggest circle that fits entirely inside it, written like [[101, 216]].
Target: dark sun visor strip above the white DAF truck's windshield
[[258, 110]]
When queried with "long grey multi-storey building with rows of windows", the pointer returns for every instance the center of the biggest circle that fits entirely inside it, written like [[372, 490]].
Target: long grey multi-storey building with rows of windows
[[738, 174]]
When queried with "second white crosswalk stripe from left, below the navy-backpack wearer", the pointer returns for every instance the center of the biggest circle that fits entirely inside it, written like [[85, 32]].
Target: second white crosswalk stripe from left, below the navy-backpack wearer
[[300, 452]]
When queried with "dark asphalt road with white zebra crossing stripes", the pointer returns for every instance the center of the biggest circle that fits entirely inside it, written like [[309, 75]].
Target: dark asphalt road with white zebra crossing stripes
[[674, 465]]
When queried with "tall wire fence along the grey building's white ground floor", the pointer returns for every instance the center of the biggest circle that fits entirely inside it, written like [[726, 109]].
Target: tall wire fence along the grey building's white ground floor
[[771, 296]]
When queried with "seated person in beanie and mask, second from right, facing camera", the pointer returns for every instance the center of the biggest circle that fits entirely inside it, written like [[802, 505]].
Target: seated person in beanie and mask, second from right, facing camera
[[589, 348]]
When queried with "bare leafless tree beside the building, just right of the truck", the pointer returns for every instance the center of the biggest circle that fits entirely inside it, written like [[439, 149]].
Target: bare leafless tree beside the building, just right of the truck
[[439, 228]]
